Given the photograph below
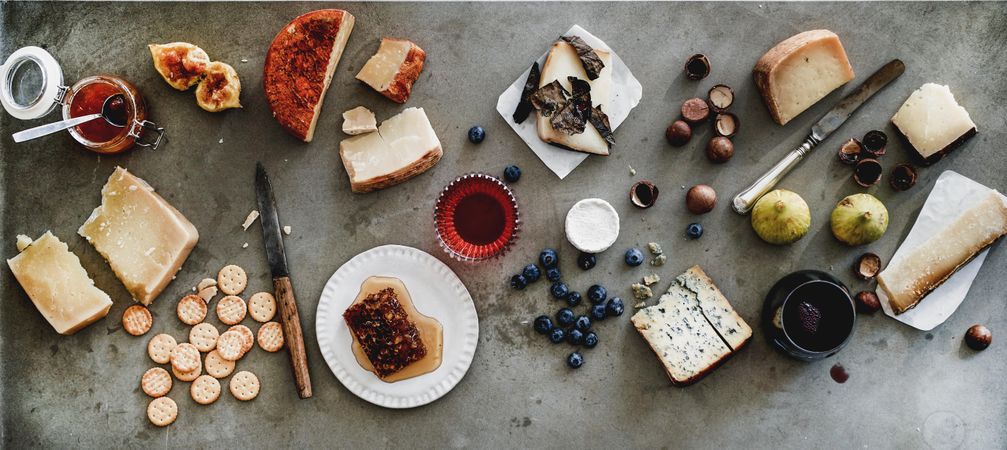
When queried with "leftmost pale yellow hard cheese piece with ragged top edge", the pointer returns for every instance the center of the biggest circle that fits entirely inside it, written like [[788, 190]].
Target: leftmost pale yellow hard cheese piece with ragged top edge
[[59, 286]]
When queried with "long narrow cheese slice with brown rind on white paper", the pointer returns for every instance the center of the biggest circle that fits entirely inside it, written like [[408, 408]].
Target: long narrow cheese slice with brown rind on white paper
[[909, 280]]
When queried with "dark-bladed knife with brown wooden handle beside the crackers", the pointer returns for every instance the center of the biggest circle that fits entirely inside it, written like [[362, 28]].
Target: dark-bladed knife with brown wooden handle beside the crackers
[[290, 320]]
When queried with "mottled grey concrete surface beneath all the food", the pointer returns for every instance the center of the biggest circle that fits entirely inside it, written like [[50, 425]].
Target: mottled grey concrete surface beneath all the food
[[908, 389]]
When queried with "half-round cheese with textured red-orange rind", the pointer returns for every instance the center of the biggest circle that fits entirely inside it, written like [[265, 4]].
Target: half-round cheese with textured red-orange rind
[[300, 68]]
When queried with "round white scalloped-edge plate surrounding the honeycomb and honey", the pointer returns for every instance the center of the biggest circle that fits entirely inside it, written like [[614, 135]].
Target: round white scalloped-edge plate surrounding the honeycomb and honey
[[437, 292]]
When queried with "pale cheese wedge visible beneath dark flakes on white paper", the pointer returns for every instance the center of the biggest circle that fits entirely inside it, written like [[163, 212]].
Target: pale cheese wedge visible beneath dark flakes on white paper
[[561, 63]]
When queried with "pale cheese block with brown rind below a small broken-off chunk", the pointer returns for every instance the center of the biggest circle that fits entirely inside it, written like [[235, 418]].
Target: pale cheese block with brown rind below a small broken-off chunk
[[404, 146]]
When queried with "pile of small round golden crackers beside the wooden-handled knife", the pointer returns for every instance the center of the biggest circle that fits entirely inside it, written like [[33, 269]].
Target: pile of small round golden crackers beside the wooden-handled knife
[[223, 351]]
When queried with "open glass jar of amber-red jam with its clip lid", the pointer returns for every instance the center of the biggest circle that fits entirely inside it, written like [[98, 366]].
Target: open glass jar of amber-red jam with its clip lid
[[32, 87]]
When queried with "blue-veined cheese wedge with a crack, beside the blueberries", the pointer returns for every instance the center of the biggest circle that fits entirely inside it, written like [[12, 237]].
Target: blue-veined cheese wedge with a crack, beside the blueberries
[[693, 329]]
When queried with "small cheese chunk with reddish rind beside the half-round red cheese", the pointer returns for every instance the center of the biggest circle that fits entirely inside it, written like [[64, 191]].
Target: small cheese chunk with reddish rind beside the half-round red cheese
[[394, 69]]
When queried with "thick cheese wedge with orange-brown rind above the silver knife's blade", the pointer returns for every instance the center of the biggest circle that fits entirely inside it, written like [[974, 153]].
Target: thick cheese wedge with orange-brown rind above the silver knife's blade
[[800, 72]]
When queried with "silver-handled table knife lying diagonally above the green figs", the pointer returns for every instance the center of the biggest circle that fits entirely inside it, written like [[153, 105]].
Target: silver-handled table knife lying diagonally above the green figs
[[829, 123]]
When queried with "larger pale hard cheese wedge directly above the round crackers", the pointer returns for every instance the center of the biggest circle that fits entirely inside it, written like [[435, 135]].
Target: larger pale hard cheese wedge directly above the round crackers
[[143, 238]]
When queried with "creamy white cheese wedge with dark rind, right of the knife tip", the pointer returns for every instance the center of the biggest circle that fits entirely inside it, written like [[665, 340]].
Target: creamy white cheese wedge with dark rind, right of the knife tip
[[934, 122]]
